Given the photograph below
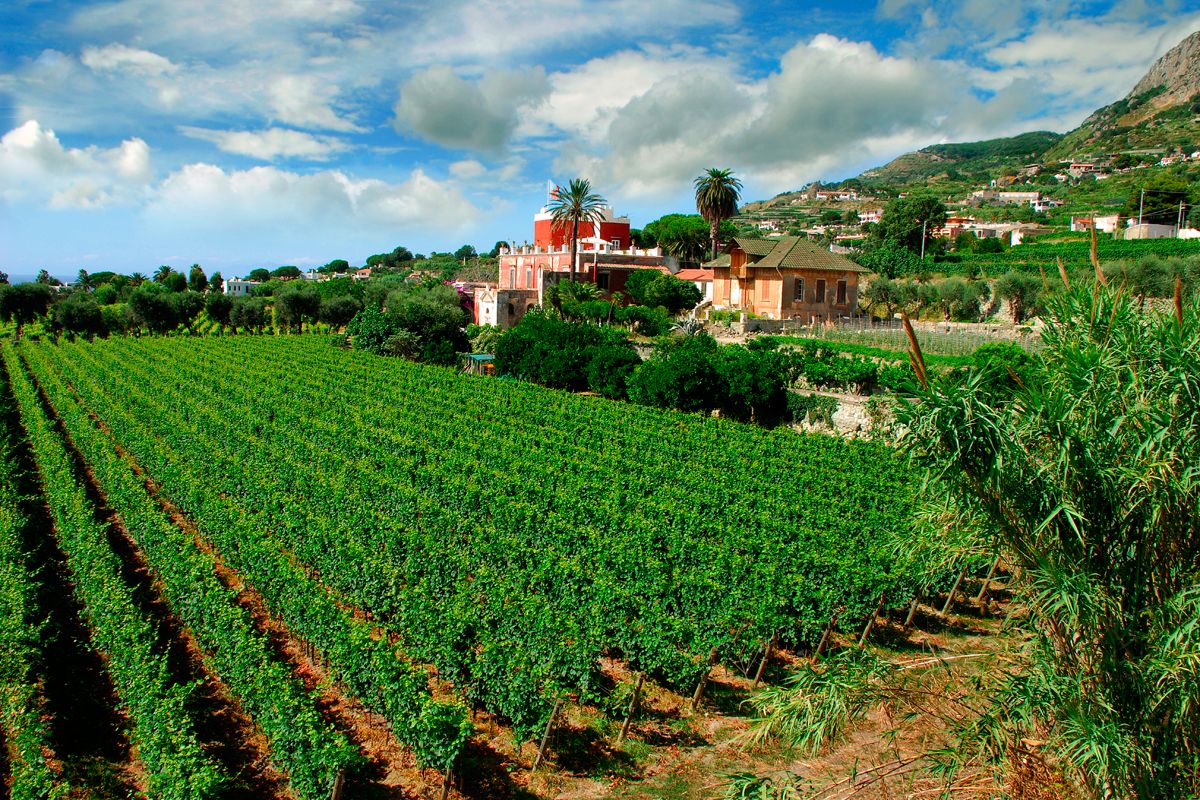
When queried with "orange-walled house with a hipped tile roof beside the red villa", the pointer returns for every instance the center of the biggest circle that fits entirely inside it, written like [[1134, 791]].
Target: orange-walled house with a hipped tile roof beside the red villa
[[787, 279]]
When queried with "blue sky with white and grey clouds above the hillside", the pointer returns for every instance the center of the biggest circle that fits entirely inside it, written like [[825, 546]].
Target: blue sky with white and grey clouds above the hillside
[[239, 135]]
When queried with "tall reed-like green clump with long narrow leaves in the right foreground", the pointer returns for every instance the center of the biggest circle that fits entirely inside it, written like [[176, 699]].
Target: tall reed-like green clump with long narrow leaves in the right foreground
[[1087, 484]]
